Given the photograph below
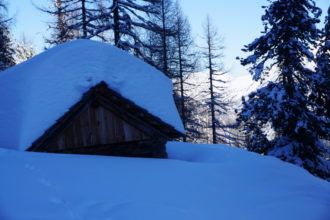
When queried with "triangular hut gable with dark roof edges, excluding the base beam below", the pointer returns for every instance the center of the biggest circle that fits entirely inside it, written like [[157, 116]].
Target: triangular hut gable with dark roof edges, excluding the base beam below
[[102, 117]]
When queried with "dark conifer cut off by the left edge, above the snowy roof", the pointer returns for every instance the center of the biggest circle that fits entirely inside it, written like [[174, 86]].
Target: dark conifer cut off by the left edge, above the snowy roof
[[6, 50]]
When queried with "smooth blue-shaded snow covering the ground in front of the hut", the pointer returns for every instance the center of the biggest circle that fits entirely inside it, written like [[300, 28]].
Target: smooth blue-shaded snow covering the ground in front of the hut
[[198, 182]]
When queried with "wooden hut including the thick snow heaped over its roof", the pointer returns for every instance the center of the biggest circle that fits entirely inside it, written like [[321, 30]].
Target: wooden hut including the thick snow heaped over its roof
[[87, 97]]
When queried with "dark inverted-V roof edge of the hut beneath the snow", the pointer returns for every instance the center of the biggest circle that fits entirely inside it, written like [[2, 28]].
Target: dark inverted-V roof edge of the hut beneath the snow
[[101, 95]]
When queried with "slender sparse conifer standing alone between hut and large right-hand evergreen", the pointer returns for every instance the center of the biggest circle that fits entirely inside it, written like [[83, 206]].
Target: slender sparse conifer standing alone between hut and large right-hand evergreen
[[212, 54]]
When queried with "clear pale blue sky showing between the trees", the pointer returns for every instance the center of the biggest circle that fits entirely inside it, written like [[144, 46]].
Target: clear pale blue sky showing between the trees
[[238, 21]]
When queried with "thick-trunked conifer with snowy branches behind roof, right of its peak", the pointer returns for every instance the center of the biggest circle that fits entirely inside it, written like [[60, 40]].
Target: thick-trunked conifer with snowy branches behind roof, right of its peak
[[127, 19]]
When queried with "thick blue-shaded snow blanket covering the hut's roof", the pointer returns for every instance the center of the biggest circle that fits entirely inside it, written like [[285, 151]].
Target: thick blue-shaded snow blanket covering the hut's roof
[[34, 94]]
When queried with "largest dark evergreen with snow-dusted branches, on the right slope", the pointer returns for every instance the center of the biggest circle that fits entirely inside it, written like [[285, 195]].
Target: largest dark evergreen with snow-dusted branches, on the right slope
[[283, 106]]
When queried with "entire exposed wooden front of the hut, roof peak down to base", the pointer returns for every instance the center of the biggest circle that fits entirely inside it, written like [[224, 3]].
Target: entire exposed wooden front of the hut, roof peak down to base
[[106, 123]]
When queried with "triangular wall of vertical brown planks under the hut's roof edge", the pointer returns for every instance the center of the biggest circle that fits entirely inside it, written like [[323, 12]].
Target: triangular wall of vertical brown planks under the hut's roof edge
[[95, 126]]
